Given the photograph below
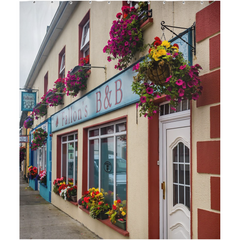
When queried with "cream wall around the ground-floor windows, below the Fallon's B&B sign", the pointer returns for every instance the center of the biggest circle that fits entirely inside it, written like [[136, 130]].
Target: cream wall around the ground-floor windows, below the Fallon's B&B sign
[[137, 177]]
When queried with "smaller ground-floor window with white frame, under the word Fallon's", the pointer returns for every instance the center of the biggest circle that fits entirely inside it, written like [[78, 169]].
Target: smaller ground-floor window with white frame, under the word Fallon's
[[69, 158]]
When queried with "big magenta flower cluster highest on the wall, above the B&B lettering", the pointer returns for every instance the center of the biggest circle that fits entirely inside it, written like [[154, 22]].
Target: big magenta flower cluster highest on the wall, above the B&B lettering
[[126, 37]]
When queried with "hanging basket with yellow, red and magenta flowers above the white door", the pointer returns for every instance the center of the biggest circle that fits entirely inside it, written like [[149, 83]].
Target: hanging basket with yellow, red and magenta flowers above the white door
[[165, 71]]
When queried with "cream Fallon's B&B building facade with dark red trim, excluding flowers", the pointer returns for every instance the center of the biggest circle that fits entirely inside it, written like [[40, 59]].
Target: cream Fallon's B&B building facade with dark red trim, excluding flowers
[[166, 169]]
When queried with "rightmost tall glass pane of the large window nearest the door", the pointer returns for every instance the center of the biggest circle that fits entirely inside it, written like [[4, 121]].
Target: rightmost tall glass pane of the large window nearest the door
[[121, 180]]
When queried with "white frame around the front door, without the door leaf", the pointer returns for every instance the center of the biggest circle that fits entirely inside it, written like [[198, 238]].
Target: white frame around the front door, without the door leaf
[[173, 120]]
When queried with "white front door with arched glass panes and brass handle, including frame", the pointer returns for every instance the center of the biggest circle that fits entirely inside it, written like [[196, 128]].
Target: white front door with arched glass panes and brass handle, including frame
[[175, 176]]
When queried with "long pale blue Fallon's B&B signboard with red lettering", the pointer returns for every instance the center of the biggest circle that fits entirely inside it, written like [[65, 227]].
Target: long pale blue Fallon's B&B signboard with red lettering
[[113, 94]]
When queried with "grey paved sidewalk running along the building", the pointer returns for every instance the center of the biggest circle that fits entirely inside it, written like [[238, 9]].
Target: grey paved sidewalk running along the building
[[39, 219]]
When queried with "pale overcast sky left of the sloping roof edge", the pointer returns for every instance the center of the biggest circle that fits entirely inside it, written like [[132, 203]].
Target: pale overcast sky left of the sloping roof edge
[[34, 17]]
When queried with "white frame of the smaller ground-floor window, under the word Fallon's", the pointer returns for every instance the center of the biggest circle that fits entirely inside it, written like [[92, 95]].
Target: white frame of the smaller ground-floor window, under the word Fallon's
[[75, 139]]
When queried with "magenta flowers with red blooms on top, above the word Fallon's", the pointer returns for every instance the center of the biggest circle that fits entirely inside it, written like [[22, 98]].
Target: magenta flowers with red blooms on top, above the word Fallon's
[[78, 81]]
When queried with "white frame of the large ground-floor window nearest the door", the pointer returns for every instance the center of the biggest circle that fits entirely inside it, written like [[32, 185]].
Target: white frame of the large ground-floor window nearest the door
[[101, 136]]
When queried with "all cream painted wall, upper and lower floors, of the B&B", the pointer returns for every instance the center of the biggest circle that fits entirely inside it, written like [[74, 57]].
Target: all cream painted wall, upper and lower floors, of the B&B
[[101, 17]]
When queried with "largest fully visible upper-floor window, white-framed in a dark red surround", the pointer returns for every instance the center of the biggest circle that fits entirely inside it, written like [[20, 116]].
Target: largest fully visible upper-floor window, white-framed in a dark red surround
[[84, 36]]
